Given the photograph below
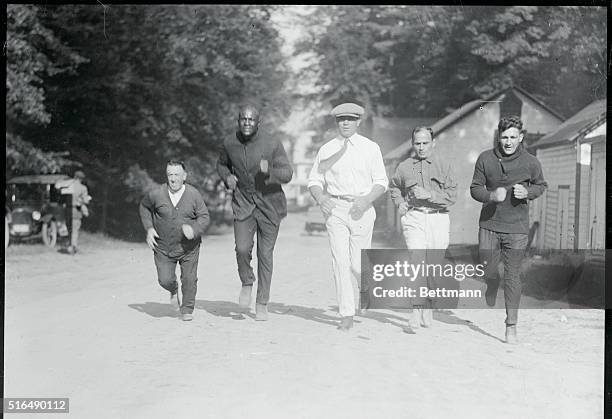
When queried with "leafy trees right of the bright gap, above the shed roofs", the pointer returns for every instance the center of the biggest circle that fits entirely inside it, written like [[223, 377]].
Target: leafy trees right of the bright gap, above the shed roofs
[[423, 60]]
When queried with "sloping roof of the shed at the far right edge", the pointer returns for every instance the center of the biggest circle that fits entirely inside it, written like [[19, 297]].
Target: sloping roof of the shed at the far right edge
[[589, 117]]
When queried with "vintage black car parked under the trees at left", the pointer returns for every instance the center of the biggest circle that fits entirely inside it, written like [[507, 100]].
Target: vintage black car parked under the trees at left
[[35, 207]]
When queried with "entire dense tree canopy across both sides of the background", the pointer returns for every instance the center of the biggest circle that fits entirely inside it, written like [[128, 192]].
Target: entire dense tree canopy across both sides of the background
[[117, 90]]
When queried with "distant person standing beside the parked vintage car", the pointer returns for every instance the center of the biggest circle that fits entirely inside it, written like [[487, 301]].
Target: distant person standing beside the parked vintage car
[[78, 205]]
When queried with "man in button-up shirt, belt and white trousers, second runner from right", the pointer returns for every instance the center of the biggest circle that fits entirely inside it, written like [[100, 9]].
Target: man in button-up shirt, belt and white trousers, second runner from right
[[422, 188]]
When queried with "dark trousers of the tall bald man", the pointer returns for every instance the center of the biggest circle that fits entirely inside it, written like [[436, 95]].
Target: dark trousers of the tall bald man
[[244, 234]]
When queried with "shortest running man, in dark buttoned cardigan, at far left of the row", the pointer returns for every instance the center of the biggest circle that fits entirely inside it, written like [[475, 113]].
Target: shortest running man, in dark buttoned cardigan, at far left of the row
[[175, 216]]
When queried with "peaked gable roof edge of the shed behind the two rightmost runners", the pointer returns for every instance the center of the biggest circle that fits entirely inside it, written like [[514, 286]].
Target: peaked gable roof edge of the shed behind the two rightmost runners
[[458, 114]]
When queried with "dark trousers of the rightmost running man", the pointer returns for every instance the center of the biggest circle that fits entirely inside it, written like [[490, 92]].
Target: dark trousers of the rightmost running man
[[510, 249]]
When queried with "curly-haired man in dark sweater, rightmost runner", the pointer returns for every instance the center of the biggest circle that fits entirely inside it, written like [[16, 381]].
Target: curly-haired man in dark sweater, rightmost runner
[[505, 179]]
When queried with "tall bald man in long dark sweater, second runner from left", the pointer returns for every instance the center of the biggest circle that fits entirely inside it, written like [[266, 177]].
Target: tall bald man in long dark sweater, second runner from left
[[254, 167]]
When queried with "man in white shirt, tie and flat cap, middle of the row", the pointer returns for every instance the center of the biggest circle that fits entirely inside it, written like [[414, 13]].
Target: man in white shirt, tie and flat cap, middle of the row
[[347, 177]]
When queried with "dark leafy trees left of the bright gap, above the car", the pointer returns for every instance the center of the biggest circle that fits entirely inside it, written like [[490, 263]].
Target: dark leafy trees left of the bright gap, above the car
[[125, 88]]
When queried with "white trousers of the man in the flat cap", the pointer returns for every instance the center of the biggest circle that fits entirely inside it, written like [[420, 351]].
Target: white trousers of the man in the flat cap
[[346, 238]]
